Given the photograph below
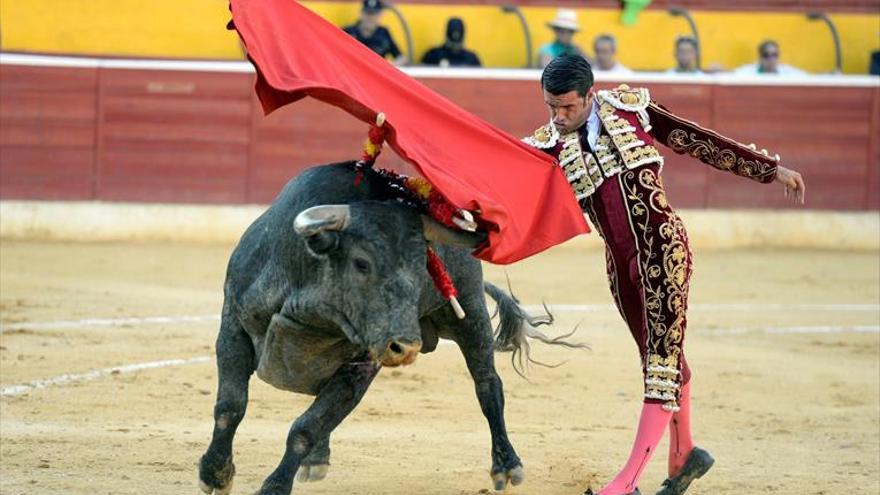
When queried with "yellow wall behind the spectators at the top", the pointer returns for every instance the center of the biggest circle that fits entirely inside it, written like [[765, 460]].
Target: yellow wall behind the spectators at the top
[[195, 29]]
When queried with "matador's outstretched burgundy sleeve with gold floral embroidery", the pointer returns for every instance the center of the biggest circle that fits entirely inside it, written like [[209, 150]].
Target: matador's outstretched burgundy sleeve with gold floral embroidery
[[686, 137]]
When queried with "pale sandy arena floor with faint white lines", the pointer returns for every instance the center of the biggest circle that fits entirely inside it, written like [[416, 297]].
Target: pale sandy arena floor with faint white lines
[[784, 345]]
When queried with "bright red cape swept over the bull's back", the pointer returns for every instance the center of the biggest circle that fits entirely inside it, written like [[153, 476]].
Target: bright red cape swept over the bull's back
[[519, 190]]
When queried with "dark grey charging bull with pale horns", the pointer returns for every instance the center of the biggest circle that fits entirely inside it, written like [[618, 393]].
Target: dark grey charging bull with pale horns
[[318, 305]]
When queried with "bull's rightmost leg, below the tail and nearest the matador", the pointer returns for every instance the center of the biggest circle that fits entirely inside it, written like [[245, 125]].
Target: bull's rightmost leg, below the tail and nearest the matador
[[475, 338]]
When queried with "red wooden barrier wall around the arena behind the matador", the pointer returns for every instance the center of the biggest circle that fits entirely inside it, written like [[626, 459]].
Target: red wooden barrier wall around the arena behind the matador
[[200, 137]]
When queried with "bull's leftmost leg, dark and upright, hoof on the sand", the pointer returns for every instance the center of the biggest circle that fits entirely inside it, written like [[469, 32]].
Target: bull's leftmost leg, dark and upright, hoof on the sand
[[235, 364]]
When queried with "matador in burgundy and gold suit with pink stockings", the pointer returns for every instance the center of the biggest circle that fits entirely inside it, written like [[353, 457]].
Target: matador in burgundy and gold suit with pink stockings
[[605, 143]]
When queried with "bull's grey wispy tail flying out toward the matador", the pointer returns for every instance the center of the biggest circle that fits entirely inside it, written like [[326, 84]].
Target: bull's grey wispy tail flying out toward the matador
[[516, 327]]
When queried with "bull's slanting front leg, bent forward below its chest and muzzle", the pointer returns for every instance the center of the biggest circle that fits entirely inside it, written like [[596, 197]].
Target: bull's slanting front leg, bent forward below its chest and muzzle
[[334, 402]]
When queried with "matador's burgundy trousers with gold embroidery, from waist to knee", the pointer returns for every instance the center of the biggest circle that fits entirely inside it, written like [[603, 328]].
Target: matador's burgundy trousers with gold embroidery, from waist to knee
[[649, 269]]
